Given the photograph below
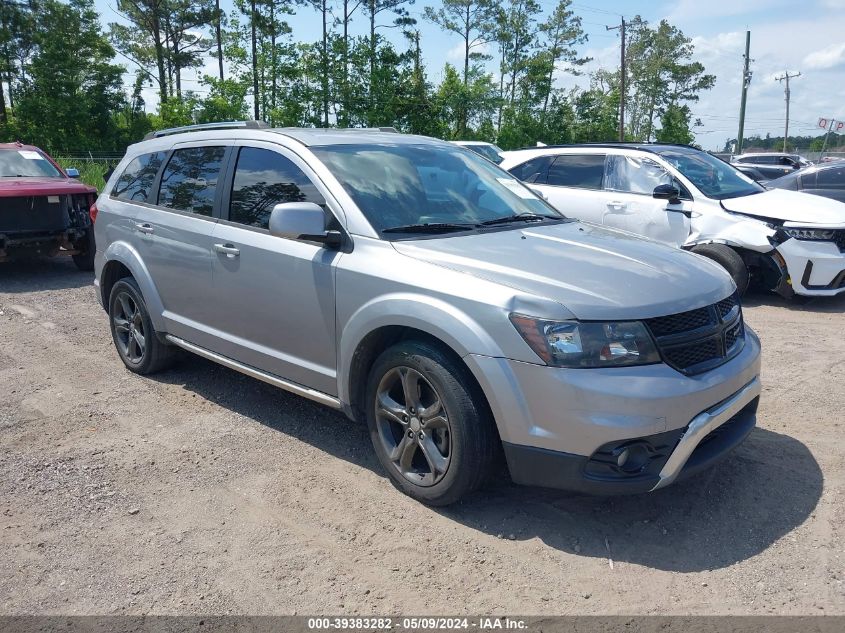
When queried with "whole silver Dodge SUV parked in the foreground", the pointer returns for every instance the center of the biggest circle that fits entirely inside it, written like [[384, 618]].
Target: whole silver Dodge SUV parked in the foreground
[[417, 286]]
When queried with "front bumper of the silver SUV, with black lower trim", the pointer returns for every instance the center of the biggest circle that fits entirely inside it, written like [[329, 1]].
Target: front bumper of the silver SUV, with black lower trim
[[566, 428]]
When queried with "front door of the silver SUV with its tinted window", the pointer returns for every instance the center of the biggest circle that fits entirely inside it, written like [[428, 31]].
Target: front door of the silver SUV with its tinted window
[[274, 298]]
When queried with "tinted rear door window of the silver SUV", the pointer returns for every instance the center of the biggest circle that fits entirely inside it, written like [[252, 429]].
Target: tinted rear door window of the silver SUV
[[190, 179]]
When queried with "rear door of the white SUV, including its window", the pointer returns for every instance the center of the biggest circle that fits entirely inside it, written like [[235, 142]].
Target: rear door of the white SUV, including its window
[[572, 183]]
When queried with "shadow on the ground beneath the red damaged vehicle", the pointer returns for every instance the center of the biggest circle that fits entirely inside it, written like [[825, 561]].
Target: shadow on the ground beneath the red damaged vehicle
[[43, 273]]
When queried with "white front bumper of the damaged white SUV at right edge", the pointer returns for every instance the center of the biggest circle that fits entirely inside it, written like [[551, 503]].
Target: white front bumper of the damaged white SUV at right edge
[[815, 268]]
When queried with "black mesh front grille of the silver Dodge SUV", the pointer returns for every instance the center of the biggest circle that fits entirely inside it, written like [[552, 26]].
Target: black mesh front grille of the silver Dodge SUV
[[698, 340]]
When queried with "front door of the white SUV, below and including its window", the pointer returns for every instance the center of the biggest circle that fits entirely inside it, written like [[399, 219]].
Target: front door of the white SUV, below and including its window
[[630, 205]]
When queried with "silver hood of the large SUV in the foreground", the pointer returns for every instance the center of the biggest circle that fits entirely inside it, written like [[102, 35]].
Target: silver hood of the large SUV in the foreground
[[596, 273]]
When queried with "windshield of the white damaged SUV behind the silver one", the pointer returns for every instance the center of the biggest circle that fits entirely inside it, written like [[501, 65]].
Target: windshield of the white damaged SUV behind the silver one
[[713, 177]]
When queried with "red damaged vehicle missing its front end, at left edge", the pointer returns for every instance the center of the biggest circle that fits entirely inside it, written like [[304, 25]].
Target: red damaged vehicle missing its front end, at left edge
[[43, 209]]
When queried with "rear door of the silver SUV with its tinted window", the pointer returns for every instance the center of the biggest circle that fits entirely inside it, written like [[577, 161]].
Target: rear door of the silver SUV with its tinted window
[[173, 236]]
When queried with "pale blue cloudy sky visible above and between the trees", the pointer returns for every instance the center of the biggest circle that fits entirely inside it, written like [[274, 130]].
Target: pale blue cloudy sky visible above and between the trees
[[806, 36]]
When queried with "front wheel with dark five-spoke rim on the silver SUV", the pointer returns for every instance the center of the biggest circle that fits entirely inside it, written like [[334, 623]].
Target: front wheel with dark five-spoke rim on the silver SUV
[[431, 429]]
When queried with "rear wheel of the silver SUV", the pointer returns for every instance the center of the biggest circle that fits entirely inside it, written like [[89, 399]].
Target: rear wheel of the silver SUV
[[132, 330]]
